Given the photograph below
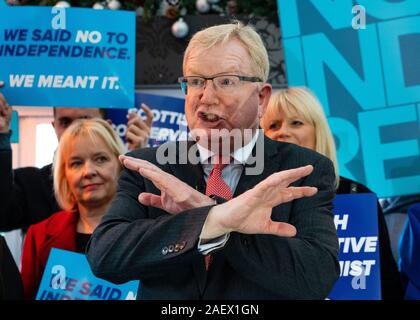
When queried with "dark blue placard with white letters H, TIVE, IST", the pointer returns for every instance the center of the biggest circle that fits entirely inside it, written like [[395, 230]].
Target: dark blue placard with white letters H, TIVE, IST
[[356, 220]]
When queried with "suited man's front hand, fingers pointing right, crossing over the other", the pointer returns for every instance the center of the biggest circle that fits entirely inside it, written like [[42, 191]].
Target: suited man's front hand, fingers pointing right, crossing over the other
[[250, 212]]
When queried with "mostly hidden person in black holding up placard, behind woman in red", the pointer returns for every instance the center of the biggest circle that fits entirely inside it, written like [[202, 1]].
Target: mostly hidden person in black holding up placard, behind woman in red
[[26, 194]]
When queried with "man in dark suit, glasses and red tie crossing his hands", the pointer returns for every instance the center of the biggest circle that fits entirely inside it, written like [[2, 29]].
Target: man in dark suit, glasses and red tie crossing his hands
[[195, 221]]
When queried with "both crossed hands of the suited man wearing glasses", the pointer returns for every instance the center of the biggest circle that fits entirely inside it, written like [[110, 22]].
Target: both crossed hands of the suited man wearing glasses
[[248, 213]]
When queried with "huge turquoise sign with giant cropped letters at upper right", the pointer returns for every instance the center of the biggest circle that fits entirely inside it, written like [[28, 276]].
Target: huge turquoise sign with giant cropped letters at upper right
[[362, 61]]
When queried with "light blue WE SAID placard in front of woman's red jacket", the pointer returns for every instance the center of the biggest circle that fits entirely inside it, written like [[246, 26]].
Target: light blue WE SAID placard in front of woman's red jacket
[[68, 276]]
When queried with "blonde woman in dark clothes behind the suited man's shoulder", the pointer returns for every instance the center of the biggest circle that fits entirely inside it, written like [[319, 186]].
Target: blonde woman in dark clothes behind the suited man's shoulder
[[295, 115]]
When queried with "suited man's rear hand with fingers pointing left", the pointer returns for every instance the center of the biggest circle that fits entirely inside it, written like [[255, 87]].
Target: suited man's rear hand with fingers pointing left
[[176, 196]]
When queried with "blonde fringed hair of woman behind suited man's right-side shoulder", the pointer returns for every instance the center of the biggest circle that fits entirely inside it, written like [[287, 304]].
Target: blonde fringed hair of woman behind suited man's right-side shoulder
[[302, 101]]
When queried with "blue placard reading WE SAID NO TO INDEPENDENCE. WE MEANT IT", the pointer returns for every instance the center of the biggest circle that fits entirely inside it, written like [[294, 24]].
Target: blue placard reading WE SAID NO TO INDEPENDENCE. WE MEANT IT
[[70, 57]]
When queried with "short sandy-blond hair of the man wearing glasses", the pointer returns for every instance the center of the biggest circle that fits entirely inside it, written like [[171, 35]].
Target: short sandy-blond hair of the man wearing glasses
[[223, 33]]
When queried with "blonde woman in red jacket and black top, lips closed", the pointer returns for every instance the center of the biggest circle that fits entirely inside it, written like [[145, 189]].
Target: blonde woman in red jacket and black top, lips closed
[[86, 170]]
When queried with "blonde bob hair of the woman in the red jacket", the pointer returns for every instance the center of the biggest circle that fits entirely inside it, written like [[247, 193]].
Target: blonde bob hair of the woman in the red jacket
[[93, 130]]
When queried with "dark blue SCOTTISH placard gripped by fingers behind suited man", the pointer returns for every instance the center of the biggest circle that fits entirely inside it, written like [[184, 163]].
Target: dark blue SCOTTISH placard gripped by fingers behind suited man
[[169, 122]]
